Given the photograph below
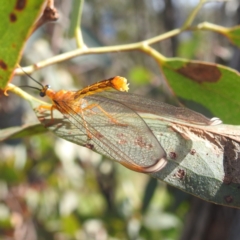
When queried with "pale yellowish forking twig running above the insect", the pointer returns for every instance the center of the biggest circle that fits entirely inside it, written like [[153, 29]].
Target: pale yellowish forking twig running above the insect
[[83, 50]]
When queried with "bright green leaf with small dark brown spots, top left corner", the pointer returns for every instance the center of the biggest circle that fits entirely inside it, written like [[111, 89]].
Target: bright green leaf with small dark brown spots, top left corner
[[17, 18]]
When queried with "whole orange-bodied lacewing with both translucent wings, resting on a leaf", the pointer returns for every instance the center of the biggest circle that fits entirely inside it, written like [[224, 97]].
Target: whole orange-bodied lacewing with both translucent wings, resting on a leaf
[[109, 122]]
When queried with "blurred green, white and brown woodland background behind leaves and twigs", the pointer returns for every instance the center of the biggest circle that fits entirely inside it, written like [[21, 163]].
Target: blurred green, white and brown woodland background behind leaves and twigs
[[53, 189]]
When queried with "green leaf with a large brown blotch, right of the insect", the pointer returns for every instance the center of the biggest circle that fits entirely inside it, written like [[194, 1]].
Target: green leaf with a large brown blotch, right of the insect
[[213, 86]]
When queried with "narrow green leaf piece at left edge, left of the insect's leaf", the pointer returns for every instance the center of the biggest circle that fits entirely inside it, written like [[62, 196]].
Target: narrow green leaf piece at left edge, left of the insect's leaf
[[23, 131]]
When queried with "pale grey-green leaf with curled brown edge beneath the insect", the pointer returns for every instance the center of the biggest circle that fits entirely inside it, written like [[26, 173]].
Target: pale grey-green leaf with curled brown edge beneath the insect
[[201, 159]]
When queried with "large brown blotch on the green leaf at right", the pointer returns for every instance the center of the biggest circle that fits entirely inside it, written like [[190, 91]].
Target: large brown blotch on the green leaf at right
[[200, 72]]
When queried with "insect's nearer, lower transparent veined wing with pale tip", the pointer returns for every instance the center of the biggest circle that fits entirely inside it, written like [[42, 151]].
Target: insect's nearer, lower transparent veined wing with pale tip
[[112, 129]]
